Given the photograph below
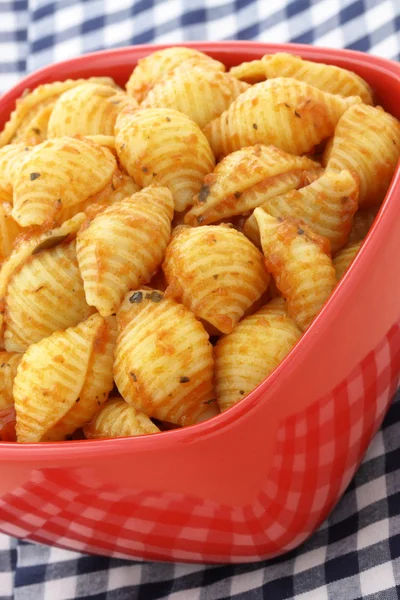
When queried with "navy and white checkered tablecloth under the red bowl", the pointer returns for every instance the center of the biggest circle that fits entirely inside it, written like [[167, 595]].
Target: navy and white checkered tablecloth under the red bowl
[[356, 553]]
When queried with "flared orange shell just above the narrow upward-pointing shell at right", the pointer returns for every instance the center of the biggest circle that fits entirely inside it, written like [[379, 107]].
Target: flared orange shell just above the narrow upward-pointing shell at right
[[327, 206]]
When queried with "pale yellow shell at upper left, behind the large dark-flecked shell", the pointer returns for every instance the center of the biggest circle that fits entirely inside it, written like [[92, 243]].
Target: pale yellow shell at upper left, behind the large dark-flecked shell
[[87, 109]]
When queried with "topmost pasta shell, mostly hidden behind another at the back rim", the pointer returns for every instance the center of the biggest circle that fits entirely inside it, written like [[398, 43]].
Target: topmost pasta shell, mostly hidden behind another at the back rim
[[152, 68]]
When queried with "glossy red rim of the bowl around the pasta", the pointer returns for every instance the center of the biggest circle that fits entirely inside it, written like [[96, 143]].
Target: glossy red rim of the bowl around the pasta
[[71, 450]]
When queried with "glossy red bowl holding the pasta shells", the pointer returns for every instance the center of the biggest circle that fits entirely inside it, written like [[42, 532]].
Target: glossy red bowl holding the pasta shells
[[257, 480]]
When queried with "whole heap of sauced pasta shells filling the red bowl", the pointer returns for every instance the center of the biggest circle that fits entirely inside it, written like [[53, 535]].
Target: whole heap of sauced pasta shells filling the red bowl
[[164, 246]]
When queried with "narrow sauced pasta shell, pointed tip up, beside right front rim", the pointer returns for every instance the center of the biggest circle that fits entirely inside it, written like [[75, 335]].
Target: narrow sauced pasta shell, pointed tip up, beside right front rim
[[299, 262]]
